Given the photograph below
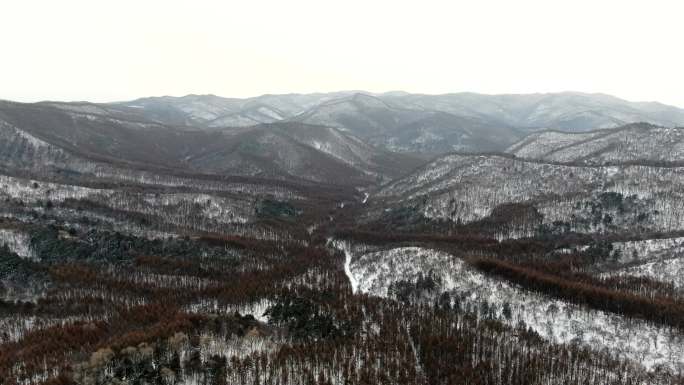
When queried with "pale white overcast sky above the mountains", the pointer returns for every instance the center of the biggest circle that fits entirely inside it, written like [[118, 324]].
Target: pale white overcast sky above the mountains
[[124, 49]]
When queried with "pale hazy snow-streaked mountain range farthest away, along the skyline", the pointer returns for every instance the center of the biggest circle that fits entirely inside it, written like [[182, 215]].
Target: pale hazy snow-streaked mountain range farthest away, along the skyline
[[405, 122]]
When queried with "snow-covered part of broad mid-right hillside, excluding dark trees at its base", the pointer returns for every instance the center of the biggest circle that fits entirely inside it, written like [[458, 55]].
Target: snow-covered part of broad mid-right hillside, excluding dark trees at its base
[[467, 188]]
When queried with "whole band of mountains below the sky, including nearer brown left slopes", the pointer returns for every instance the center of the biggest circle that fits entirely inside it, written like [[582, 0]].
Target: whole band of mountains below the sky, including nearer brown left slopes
[[350, 138]]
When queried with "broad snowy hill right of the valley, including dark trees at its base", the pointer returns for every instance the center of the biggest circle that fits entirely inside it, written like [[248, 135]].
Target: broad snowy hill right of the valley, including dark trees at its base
[[525, 195]]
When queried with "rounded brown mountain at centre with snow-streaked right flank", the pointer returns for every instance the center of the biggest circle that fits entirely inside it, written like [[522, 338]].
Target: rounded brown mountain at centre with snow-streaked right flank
[[308, 152]]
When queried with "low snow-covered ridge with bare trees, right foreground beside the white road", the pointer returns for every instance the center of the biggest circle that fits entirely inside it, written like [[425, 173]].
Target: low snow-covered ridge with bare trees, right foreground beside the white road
[[645, 343]]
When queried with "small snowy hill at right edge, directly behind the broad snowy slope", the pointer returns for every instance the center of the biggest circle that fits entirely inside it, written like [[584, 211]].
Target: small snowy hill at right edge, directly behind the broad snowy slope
[[631, 143]]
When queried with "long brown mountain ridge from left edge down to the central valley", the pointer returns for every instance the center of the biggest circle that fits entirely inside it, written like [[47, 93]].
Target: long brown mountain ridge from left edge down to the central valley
[[74, 136]]
